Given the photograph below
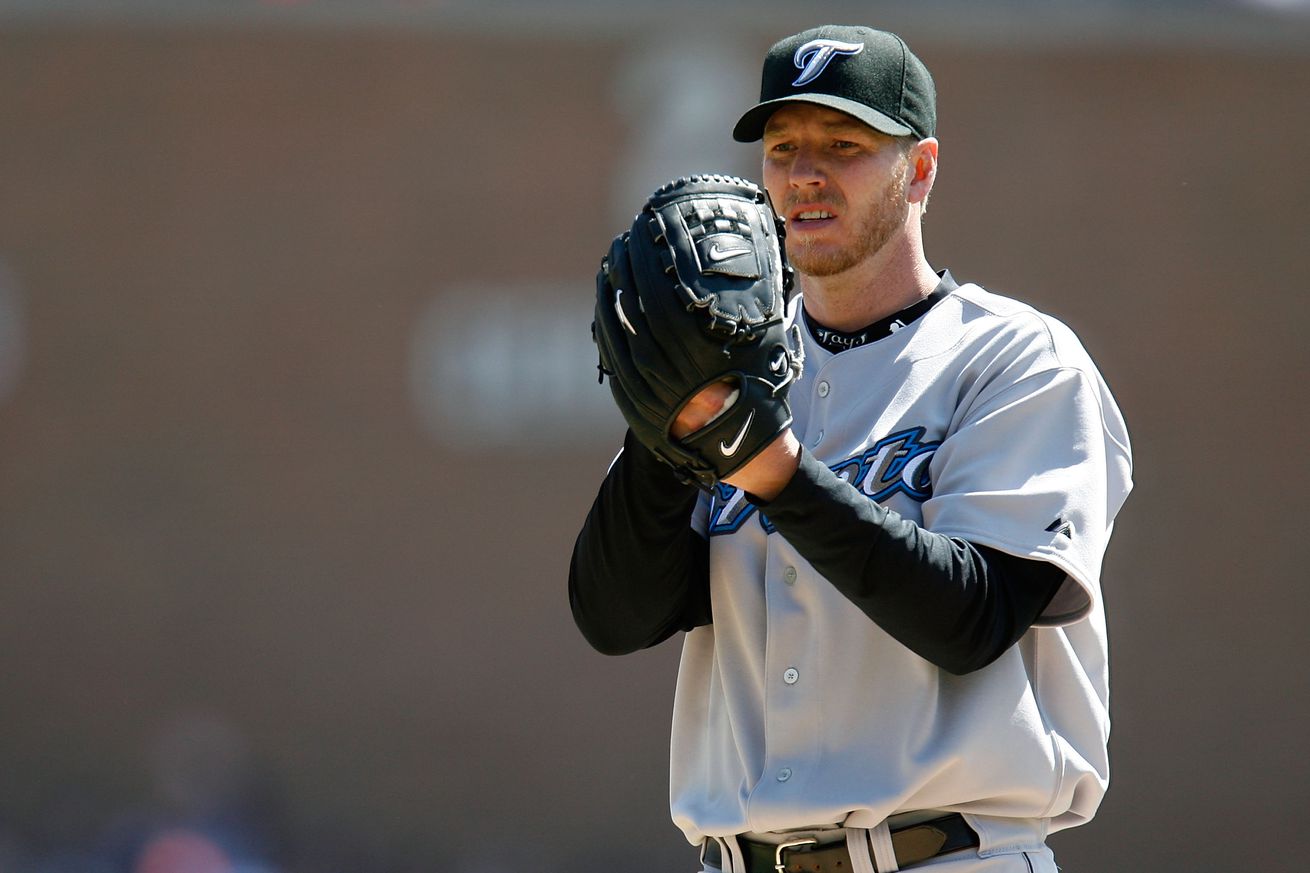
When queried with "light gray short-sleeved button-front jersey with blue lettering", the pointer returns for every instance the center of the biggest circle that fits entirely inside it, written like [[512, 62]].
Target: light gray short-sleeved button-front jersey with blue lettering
[[983, 420]]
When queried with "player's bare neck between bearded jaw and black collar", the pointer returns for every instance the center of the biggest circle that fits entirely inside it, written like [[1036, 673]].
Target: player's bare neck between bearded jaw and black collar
[[895, 279]]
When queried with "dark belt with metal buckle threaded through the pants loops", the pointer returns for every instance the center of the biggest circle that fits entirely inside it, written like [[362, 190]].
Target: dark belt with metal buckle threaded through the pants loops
[[912, 845]]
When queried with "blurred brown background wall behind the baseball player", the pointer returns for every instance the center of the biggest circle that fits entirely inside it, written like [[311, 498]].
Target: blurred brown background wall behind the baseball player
[[298, 417]]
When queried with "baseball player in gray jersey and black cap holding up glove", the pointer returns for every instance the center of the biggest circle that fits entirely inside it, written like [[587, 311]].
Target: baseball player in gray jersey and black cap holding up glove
[[889, 577]]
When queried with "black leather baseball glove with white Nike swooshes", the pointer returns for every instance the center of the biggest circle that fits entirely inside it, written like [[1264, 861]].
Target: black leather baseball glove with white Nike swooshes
[[696, 294]]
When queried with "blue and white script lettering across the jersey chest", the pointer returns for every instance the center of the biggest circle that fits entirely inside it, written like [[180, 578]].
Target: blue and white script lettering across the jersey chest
[[897, 465]]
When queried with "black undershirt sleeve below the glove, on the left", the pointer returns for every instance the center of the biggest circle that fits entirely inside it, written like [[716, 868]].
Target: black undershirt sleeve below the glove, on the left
[[640, 573]]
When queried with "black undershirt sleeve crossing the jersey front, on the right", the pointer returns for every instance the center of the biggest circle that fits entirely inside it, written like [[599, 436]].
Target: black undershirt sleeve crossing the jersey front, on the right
[[949, 601]]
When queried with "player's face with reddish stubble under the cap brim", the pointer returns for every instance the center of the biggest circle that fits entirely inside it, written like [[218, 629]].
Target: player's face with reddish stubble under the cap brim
[[839, 183]]
